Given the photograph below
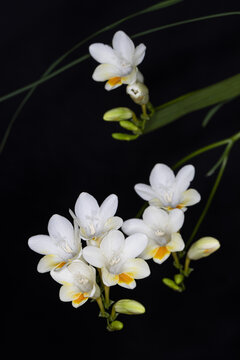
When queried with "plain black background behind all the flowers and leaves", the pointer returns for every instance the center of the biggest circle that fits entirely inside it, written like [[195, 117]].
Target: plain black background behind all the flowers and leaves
[[60, 146]]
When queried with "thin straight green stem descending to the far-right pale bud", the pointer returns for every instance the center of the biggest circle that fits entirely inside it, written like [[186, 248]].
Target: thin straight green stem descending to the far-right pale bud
[[209, 201]]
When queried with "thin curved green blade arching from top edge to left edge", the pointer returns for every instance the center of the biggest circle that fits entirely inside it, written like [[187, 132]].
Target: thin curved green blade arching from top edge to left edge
[[155, 7]]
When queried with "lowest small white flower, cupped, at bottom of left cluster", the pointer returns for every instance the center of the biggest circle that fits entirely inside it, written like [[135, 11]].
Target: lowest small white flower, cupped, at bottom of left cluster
[[79, 282]]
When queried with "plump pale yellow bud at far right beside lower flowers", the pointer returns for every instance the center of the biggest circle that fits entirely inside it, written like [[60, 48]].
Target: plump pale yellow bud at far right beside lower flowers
[[203, 247]]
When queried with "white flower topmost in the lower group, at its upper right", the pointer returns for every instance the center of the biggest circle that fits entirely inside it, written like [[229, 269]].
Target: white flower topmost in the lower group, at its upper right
[[167, 190]]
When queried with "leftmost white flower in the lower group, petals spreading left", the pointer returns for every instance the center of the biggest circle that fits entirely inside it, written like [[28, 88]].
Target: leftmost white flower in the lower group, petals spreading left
[[61, 246]]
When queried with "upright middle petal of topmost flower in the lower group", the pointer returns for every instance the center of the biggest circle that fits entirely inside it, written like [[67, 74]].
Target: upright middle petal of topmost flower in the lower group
[[160, 175]]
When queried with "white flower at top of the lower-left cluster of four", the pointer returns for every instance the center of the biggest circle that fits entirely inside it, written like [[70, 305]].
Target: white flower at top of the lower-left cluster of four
[[96, 221]]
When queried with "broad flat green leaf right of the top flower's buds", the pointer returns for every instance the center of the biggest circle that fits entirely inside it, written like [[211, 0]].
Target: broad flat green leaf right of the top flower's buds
[[193, 101]]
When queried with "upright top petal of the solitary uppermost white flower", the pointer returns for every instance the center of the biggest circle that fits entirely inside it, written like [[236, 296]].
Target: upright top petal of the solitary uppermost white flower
[[123, 45]]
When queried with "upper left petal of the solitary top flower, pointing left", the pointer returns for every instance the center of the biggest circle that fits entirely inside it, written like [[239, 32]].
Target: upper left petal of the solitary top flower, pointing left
[[104, 54]]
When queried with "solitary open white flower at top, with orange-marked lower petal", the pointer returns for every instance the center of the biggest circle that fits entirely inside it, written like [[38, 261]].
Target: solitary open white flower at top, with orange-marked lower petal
[[118, 63]]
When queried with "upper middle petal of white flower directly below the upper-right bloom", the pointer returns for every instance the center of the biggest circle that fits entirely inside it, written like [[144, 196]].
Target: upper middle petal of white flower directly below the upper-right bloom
[[155, 218]]
